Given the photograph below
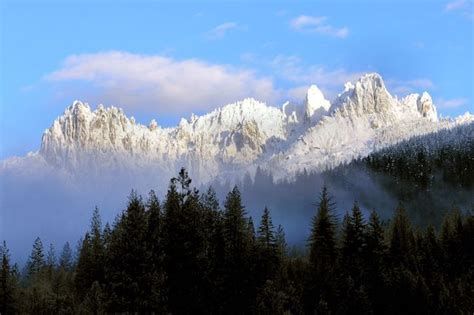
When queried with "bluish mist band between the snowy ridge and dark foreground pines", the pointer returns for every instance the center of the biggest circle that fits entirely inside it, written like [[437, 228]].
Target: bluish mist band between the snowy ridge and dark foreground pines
[[57, 207]]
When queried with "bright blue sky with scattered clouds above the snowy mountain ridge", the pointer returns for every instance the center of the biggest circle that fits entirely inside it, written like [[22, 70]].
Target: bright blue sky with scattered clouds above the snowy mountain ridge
[[165, 60]]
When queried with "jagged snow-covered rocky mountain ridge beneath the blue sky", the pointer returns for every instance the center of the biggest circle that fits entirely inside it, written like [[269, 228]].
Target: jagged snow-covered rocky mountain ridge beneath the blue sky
[[239, 137]]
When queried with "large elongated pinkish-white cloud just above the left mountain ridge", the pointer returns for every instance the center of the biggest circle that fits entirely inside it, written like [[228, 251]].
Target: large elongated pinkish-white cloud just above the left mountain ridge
[[156, 83]]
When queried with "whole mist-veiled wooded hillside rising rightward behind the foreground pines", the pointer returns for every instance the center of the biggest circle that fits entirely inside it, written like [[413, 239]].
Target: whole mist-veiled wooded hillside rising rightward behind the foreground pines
[[429, 174]]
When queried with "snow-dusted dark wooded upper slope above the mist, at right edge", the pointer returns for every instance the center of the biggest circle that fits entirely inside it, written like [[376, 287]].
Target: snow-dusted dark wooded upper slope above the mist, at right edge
[[447, 155]]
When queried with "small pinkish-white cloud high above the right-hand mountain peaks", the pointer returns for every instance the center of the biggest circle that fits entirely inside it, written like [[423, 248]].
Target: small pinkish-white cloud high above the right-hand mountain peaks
[[317, 24]]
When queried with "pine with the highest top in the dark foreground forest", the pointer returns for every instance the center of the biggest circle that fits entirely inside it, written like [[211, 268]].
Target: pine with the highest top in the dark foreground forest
[[184, 237]]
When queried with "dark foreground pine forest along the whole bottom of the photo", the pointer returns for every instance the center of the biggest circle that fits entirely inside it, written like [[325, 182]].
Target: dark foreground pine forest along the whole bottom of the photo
[[187, 255]]
